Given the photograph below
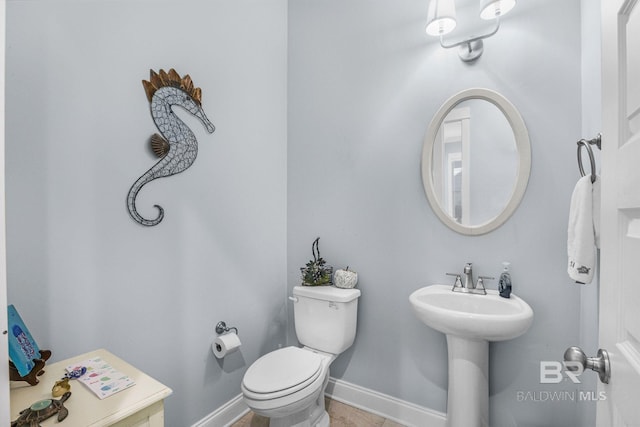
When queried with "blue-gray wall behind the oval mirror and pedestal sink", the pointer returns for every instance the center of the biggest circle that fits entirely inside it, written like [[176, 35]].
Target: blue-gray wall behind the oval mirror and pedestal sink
[[364, 82]]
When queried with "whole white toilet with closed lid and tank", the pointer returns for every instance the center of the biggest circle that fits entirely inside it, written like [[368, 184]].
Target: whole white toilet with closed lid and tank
[[287, 385]]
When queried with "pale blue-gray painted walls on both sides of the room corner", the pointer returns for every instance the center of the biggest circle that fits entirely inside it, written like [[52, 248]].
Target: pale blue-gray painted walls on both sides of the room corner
[[363, 83]]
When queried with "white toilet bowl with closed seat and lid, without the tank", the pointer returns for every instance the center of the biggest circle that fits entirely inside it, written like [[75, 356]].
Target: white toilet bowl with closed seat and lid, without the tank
[[287, 386]]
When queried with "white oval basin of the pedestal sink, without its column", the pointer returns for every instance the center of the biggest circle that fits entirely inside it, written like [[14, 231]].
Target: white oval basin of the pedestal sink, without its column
[[482, 317]]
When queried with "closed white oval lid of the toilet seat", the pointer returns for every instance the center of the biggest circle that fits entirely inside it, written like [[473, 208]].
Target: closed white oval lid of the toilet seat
[[286, 368]]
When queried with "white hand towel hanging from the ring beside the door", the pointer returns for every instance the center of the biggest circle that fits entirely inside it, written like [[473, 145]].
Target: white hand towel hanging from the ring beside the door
[[581, 240]]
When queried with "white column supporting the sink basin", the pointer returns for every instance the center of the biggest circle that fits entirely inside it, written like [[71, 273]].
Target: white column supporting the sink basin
[[468, 395]]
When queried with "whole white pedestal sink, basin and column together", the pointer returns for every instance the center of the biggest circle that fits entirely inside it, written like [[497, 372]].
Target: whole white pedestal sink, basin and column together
[[470, 321]]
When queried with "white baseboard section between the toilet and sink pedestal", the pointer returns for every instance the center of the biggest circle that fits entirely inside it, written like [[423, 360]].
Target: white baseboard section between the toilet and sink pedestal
[[386, 406]]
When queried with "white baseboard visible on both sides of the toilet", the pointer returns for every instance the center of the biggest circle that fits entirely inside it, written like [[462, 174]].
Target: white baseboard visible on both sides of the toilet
[[369, 400]]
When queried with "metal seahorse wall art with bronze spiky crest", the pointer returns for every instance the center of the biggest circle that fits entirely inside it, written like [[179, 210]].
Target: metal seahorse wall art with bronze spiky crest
[[176, 145]]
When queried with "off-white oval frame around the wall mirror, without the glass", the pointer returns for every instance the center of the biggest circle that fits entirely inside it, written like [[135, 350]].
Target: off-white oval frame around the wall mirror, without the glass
[[523, 147]]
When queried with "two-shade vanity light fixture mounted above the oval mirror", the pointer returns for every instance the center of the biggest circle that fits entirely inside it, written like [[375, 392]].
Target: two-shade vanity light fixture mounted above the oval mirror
[[441, 20]]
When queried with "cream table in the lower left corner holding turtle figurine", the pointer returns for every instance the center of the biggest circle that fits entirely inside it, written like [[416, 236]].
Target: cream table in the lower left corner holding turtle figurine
[[141, 405]]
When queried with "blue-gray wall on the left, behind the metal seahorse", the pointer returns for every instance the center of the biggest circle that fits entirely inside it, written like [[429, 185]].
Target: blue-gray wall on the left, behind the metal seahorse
[[82, 273]]
